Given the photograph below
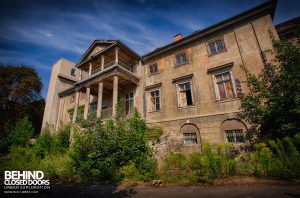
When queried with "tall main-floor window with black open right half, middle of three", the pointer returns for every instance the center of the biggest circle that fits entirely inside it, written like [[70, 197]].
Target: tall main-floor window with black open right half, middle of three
[[185, 95]]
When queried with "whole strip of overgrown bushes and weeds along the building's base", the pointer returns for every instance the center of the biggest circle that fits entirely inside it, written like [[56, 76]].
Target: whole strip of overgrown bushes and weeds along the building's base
[[118, 151]]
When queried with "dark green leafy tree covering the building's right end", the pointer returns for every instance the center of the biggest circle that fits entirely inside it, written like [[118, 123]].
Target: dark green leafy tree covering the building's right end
[[273, 104]]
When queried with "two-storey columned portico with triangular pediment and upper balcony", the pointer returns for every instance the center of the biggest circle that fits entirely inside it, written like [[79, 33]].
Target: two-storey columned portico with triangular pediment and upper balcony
[[107, 75]]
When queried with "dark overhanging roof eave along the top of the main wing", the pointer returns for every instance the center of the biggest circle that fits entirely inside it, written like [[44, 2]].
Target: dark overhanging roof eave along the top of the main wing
[[265, 8]]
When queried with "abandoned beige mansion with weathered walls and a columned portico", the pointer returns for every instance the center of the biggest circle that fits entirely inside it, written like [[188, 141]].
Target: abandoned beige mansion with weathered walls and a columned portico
[[190, 87]]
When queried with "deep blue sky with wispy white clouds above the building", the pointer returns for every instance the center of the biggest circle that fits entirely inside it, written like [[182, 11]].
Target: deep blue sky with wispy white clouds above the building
[[39, 32]]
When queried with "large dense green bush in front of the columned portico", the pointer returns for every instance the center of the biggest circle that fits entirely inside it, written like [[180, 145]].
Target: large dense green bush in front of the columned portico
[[109, 152]]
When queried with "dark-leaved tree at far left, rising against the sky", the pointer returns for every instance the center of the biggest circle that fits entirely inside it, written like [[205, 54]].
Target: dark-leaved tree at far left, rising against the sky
[[20, 96]]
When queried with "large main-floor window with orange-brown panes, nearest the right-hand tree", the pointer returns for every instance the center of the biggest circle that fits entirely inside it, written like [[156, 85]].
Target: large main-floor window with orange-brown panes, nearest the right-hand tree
[[224, 86]]
